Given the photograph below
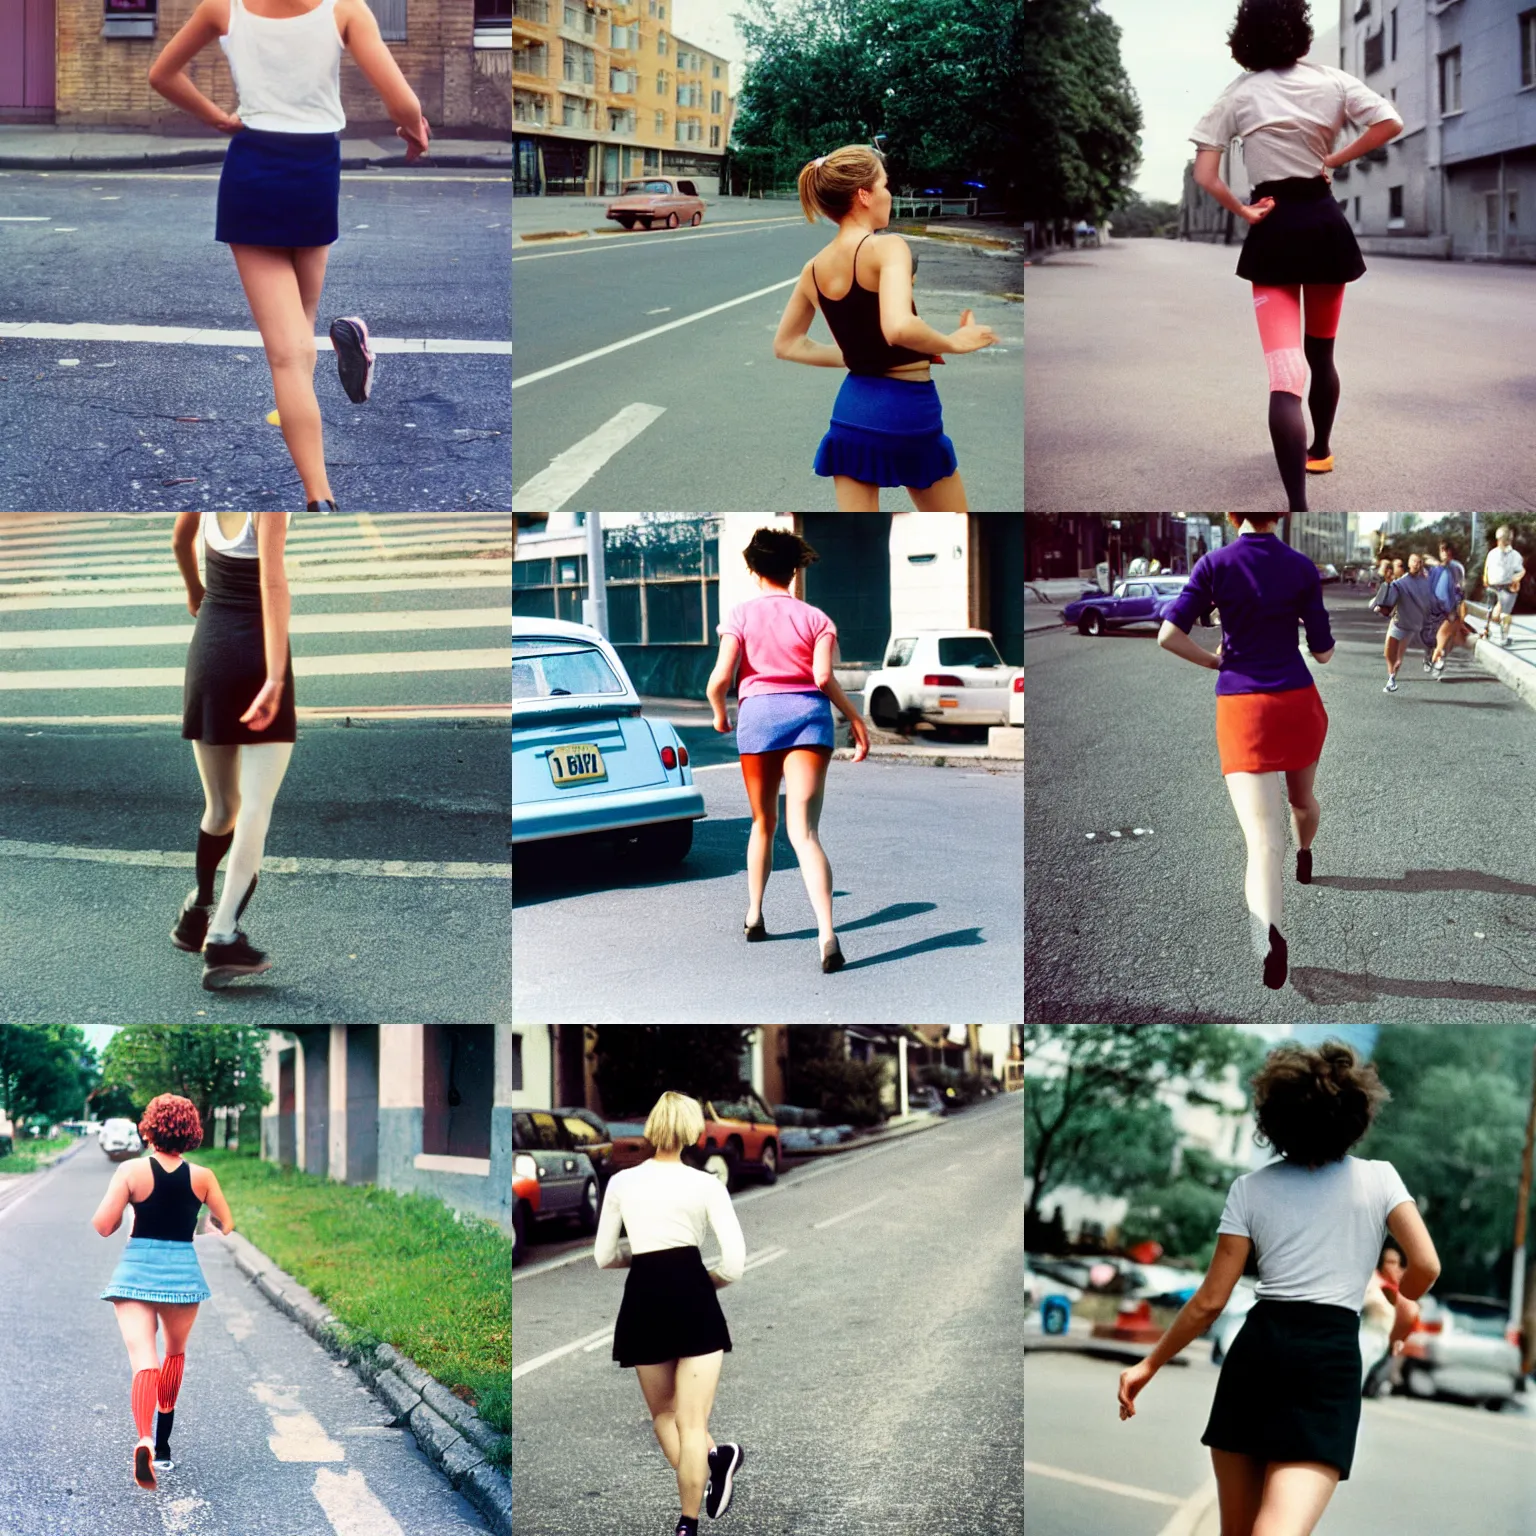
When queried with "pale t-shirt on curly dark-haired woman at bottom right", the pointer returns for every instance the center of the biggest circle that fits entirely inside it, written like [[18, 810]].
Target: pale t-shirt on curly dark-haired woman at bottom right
[[1317, 1233]]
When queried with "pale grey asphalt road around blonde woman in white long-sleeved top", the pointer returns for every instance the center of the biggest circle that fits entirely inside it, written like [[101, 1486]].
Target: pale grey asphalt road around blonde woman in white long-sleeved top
[[876, 1366]]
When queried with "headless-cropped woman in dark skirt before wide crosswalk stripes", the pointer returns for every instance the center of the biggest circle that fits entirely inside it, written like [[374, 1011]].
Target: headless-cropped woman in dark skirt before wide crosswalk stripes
[[240, 718]]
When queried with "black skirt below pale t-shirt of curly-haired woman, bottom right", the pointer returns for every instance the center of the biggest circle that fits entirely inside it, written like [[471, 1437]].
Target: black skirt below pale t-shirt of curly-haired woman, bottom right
[[1289, 1388]]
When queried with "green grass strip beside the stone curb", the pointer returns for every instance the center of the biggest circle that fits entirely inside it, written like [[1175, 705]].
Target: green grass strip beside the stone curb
[[392, 1268]]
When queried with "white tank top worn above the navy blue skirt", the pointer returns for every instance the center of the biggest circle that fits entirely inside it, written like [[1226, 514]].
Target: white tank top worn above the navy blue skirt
[[288, 74]]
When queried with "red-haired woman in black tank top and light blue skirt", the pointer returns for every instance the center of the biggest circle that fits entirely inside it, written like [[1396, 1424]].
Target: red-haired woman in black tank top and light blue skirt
[[159, 1280]]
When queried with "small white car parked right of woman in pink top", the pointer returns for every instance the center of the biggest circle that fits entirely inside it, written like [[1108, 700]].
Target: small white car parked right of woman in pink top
[[942, 677]]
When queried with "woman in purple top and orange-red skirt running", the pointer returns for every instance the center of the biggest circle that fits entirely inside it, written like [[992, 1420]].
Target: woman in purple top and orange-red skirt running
[[1270, 717]]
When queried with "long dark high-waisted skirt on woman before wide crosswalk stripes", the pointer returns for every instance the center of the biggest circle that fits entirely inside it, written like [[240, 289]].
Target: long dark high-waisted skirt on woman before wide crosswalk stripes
[[228, 661]]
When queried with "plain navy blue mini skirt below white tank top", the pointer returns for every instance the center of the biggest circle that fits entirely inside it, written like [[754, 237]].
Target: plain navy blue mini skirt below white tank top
[[280, 190]]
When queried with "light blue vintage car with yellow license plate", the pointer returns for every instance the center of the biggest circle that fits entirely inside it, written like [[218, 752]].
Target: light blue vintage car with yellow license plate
[[584, 760]]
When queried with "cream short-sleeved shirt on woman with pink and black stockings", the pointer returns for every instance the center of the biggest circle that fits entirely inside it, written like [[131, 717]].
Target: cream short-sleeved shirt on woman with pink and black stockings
[[1291, 119]]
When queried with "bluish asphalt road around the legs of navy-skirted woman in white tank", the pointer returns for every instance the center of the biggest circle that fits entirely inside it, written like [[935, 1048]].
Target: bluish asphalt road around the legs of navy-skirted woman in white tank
[[137, 250]]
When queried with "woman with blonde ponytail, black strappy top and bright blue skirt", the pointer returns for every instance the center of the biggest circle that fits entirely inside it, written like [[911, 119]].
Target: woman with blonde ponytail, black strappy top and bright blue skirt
[[887, 425]]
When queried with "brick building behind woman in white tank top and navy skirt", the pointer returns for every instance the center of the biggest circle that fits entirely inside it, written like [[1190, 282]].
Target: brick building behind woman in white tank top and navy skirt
[[87, 64]]
